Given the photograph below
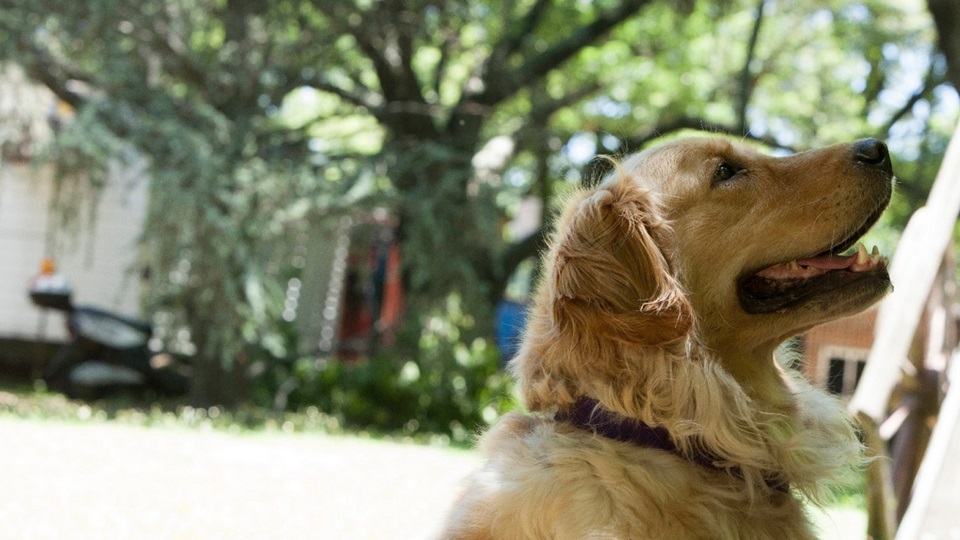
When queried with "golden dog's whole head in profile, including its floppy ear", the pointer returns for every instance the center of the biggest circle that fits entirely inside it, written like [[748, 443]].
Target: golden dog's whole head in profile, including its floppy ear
[[705, 235]]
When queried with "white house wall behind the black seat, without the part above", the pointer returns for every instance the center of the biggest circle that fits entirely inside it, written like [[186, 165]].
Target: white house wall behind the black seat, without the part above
[[99, 258]]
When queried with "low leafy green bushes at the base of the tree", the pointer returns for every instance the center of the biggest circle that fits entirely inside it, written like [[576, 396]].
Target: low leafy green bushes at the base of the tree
[[446, 386]]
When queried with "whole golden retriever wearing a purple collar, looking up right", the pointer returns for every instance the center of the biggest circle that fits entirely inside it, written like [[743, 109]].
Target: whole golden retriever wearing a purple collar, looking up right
[[657, 408]]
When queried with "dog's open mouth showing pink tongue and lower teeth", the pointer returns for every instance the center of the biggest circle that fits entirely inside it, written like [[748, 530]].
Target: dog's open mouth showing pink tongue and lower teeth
[[789, 284]]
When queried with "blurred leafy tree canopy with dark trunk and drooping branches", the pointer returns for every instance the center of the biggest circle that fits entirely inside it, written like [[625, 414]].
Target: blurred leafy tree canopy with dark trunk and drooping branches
[[259, 117]]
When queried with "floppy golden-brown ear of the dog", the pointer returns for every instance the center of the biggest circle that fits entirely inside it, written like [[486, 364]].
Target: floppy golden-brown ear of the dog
[[610, 277]]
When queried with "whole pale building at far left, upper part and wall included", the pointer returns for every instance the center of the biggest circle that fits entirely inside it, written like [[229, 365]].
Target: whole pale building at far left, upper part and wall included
[[97, 253]]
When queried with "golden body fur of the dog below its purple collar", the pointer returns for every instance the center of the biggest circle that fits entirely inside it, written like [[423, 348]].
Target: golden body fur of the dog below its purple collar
[[552, 481]]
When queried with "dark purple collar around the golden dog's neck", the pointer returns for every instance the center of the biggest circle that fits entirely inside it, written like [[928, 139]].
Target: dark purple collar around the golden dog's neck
[[589, 415]]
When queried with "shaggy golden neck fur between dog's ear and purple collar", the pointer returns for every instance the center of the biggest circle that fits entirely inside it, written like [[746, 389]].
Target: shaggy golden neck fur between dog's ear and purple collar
[[690, 392]]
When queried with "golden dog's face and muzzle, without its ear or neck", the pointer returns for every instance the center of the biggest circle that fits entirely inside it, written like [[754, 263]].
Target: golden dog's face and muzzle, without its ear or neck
[[760, 241]]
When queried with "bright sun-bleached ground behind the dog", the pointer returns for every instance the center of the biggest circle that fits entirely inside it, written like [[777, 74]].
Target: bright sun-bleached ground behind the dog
[[101, 481]]
